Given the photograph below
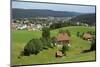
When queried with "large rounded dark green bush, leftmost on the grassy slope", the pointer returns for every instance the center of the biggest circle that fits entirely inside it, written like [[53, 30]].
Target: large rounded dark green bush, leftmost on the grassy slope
[[34, 46]]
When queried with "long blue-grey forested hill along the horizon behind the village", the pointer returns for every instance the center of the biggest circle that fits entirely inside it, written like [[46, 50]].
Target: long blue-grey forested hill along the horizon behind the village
[[27, 13]]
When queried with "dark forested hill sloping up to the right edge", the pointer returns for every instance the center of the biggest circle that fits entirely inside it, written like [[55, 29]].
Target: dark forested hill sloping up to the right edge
[[86, 18]]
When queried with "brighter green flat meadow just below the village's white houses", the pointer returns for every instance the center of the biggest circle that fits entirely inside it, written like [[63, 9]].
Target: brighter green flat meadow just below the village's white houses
[[24, 36]]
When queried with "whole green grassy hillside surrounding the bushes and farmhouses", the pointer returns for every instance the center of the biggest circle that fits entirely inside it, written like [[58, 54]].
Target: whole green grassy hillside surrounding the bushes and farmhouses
[[20, 39]]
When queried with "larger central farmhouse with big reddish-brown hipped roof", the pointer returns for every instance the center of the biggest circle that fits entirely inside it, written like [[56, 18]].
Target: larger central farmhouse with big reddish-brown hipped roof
[[63, 38]]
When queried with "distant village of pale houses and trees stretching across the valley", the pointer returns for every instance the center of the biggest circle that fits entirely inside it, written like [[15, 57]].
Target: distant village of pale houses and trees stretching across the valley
[[39, 22]]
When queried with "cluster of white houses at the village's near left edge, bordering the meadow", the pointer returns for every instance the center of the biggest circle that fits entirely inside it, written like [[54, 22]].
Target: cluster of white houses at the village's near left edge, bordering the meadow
[[23, 26]]
